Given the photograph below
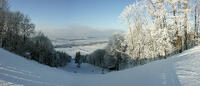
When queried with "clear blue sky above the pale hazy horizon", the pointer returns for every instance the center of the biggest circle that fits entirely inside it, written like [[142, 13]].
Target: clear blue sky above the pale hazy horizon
[[63, 13]]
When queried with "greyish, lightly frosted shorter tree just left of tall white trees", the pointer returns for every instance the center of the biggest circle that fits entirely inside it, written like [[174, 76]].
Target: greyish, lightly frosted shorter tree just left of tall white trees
[[116, 49]]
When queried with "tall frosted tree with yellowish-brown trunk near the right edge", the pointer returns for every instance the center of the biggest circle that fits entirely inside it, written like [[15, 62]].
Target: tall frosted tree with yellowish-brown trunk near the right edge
[[180, 14]]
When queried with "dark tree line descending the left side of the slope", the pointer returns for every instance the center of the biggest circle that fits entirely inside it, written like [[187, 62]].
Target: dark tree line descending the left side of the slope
[[18, 35]]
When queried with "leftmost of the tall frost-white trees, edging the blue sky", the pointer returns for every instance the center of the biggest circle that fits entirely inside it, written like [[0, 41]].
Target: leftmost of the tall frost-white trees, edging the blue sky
[[134, 16]]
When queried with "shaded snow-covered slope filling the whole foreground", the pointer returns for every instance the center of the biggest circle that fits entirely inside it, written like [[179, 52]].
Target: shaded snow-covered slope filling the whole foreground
[[178, 70]]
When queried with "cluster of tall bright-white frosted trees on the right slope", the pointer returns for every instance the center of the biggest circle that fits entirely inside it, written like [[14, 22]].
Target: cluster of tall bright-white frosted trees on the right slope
[[156, 27]]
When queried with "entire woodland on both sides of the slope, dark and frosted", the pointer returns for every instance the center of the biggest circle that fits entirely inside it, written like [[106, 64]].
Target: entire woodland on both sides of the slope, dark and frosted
[[156, 29]]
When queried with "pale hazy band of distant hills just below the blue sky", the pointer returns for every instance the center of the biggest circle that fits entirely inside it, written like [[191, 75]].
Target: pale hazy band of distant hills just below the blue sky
[[78, 32]]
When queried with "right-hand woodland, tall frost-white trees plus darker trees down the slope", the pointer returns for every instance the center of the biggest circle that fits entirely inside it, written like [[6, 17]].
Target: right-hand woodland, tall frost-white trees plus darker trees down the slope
[[157, 29]]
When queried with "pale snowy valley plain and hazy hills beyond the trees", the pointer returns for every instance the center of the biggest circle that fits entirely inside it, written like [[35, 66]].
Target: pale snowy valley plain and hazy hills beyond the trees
[[79, 38]]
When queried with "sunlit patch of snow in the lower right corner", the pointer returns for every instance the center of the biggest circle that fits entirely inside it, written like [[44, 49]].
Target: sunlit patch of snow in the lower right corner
[[188, 69]]
